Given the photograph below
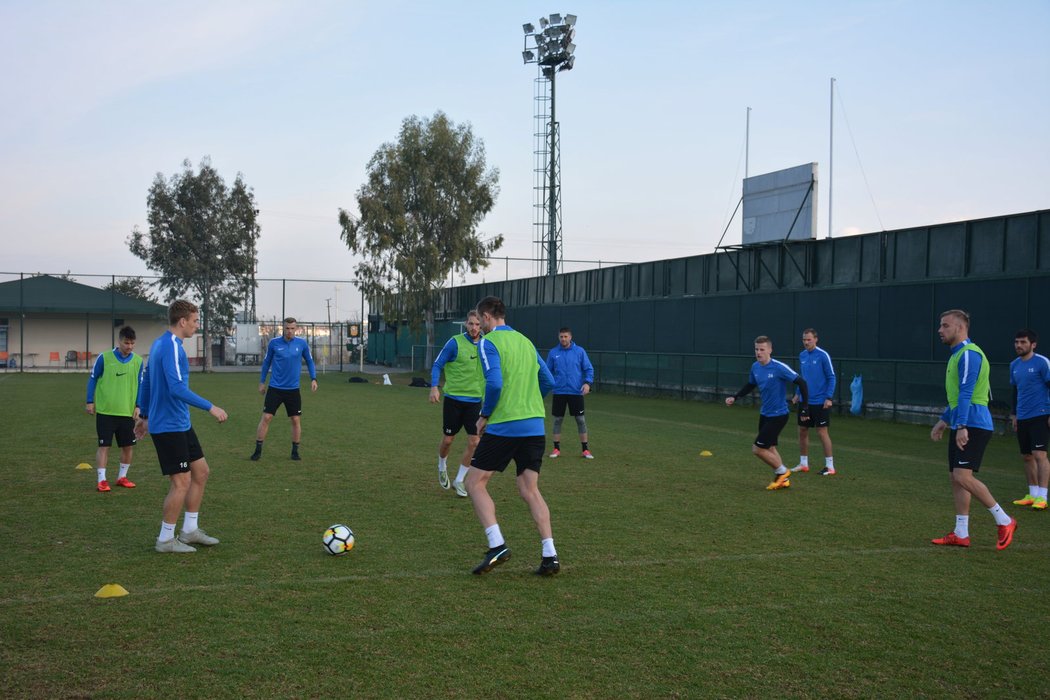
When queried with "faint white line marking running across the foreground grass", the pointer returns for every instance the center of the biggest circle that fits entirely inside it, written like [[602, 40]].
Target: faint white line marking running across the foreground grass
[[585, 565]]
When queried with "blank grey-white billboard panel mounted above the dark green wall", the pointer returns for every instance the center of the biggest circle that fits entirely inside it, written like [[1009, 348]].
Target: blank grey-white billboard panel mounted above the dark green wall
[[774, 201]]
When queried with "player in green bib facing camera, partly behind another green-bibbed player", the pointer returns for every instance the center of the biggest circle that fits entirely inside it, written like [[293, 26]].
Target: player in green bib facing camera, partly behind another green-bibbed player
[[465, 388]]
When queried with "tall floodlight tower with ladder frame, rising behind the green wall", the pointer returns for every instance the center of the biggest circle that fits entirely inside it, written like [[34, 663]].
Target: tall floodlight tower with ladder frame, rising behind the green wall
[[553, 52]]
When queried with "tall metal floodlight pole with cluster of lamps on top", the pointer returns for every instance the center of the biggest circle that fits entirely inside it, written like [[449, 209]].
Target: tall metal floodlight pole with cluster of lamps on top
[[554, 53]]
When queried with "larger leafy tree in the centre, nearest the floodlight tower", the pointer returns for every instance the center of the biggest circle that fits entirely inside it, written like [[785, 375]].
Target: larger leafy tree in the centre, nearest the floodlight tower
[[419, 213]]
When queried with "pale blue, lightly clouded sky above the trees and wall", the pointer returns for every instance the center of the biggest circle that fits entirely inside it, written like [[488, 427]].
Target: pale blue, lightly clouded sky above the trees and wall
[[942, 111]]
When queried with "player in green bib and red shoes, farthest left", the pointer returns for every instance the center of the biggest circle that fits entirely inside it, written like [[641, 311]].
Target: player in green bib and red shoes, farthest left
[[113, 390]]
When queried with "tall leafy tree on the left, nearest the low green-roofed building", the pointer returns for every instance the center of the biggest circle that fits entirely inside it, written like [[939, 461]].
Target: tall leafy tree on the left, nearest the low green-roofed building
[[202, 240]]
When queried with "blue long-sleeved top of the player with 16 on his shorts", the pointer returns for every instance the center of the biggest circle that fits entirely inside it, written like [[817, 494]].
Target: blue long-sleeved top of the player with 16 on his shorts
[[165, 397]]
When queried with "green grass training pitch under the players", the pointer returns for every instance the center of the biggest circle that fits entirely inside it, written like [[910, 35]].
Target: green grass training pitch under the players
[[681, 577]]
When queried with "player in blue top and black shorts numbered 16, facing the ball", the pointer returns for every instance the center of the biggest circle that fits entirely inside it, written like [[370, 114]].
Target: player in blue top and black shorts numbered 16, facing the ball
[[164, 412]]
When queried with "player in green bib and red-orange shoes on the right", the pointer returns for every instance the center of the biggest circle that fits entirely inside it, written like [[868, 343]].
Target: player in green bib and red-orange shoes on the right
[[970, 421]]
